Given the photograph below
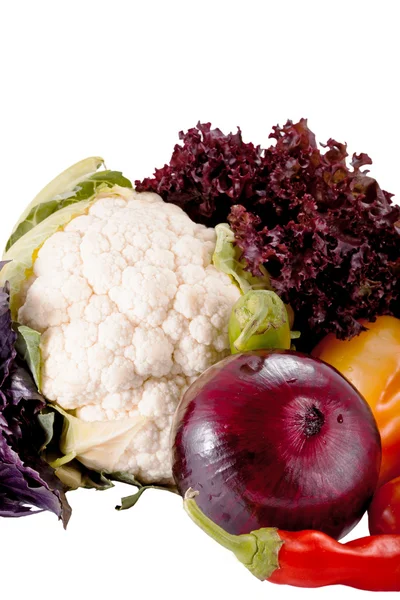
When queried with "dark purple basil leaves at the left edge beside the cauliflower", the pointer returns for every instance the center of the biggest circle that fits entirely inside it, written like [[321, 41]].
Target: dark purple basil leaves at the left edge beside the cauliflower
[[27, 483]]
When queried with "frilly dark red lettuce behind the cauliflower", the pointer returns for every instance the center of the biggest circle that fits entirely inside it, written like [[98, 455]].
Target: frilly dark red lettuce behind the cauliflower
[[325, 231]]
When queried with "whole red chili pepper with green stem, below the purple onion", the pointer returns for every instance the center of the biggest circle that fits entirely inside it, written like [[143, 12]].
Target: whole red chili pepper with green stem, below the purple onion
[[309, 558]]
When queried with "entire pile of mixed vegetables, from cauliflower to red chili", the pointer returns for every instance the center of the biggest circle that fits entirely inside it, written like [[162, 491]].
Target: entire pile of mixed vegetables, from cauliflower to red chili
[[152, 336]]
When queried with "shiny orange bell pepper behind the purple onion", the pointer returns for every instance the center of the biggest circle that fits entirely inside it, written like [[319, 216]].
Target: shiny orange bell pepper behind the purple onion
[[371, 362]]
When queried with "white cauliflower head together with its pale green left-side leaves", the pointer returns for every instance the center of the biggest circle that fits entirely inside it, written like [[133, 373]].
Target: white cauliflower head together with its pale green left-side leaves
[[130, 310]]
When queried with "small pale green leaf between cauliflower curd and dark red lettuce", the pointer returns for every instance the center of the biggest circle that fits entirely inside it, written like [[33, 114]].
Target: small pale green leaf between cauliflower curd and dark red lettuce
[[227, 259]]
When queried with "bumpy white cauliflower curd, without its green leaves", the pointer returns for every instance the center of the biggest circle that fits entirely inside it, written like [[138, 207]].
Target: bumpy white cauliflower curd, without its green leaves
[[131, 311]]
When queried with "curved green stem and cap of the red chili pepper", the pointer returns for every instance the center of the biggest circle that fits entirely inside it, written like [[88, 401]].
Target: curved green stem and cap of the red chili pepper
[[257, 550]]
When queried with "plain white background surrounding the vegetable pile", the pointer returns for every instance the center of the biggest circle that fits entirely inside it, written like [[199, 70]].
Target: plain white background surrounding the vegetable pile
[[119, 80]]
